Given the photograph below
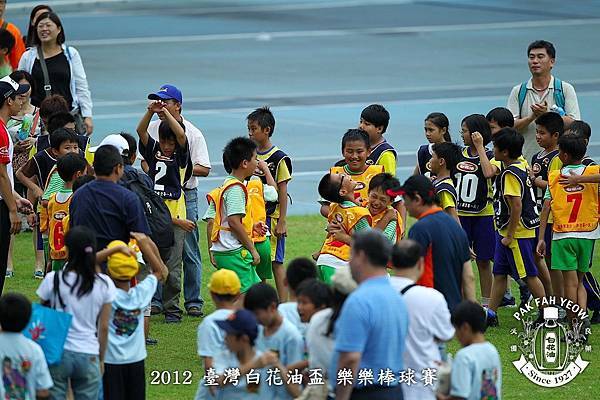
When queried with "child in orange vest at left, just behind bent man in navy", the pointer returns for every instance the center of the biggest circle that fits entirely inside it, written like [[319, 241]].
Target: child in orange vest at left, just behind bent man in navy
[[54, 217]]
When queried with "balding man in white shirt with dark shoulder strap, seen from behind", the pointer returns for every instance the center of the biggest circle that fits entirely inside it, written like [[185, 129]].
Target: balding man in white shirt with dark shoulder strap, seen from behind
[[429, 318]]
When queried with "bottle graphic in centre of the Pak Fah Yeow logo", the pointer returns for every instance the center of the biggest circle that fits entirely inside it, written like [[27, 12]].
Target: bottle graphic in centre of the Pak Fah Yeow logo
[[551, 347]]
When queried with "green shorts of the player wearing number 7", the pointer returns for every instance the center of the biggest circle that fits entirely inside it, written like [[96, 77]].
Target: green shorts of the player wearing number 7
[[572, 254]]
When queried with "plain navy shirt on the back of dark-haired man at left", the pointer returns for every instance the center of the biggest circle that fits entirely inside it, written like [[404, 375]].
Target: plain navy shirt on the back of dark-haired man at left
[[108, 209]]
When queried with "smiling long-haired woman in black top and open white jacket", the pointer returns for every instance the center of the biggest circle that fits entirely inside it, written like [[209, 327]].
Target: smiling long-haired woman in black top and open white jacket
[[57, 69]]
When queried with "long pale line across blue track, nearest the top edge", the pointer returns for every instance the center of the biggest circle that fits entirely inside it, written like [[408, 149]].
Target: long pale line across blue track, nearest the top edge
[[266, 36]]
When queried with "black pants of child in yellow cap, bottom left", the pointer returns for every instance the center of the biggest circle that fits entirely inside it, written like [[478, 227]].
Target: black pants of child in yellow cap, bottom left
[[124, 381]]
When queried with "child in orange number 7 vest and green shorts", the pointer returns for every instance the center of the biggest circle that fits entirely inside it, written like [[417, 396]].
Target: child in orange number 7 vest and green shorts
[[574, 208]]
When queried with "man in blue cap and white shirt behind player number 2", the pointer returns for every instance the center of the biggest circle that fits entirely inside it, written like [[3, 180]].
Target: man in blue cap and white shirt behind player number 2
[[192, 263]]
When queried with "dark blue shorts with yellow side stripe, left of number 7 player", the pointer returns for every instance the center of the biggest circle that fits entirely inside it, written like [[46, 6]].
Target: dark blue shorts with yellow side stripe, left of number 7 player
[[515, 260]]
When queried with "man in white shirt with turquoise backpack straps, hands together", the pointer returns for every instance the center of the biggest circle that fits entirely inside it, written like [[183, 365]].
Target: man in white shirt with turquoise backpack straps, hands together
[[529, 100]]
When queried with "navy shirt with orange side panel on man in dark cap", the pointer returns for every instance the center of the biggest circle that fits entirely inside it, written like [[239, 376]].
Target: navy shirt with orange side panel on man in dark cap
[[445, 249]]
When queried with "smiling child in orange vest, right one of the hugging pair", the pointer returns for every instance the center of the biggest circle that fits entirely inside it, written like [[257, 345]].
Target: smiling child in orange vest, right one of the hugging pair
[[383, 190]]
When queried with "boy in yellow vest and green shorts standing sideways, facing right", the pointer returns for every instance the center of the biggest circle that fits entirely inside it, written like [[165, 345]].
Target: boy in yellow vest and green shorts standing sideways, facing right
[[231, 241]]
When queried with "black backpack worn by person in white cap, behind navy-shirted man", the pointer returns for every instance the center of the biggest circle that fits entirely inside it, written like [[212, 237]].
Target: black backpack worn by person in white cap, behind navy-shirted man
[[157, 212]]
